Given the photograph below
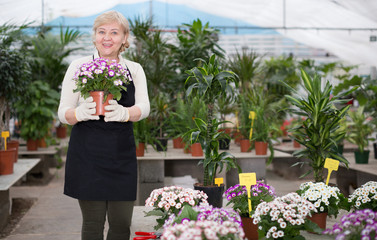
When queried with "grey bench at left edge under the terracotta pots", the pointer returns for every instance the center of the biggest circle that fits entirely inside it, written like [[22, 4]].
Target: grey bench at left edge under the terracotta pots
[[20, 169]]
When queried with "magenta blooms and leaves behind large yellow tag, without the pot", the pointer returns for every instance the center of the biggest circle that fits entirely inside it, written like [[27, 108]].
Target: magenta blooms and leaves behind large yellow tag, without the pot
[[237, 197]]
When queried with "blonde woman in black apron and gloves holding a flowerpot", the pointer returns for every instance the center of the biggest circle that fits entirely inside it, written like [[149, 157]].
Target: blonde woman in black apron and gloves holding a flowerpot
[[101, 166]]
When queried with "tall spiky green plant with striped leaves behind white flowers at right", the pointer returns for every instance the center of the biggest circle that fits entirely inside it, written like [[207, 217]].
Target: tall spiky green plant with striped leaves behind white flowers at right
[[322, 119]]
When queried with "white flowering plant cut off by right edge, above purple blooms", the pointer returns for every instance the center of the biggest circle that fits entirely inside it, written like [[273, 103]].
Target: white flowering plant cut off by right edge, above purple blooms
[[364, 197]]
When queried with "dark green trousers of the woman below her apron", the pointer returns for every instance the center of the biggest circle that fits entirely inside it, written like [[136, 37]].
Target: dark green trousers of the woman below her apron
[[119, 216]]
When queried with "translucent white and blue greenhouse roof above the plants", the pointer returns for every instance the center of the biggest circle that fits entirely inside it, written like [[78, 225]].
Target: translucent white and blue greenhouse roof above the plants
[[346, 28]]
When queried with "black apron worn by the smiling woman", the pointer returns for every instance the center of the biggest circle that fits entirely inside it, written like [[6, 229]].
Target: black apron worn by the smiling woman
[[101, 159]]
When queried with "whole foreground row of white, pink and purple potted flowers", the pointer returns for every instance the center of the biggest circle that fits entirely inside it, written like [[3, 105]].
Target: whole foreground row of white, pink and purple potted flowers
[[186, 214]]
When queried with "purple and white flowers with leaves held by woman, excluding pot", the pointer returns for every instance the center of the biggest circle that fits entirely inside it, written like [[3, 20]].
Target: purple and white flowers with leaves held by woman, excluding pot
[[102, 75]]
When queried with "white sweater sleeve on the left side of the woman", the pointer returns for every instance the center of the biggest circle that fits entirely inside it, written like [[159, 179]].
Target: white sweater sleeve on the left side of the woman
[[68, 99]]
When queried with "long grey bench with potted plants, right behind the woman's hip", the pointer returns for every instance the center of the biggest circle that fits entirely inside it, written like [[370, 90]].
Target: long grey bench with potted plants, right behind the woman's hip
[[154, 166]]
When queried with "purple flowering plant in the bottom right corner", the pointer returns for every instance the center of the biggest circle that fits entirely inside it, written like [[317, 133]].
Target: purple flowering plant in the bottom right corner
[[360, 224]]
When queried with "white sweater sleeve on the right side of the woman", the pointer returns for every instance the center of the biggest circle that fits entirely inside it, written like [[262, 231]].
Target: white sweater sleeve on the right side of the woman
[[141, 90]]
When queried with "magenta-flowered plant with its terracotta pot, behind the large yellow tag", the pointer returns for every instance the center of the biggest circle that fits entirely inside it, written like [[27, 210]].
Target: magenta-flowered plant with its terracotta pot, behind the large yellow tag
[[238, 199]]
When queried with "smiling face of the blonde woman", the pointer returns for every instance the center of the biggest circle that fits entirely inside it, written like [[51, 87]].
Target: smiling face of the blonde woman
[[109, 39]]
